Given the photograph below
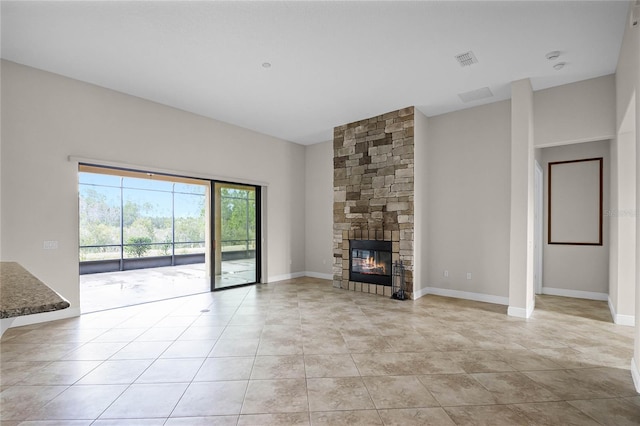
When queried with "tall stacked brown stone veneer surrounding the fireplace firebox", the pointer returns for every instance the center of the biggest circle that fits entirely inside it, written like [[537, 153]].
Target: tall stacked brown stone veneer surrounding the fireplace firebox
[[373, 194]]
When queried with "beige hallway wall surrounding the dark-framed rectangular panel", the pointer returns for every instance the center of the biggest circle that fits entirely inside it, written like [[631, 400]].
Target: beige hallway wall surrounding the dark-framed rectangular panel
[[577, 270]]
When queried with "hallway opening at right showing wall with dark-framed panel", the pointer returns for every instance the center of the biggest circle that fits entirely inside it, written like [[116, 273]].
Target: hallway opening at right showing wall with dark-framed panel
[[575, 250]]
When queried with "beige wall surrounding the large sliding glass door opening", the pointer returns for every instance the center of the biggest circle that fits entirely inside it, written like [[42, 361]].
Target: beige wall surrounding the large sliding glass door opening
[[47, 117]]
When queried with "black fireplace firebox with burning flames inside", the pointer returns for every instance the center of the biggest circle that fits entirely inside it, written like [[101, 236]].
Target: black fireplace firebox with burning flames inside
[[370, 261]]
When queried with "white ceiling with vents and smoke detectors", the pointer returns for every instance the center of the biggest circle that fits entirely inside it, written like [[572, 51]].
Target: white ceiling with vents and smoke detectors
[[332, 62]]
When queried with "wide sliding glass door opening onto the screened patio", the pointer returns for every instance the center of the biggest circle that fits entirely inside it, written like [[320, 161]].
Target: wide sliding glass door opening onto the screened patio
[[148, 236]]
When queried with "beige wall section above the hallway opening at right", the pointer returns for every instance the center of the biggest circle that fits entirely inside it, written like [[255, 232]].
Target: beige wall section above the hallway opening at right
[[578, 112]]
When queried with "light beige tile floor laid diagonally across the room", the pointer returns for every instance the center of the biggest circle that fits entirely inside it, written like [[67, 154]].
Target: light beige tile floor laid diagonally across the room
[[300, 352]]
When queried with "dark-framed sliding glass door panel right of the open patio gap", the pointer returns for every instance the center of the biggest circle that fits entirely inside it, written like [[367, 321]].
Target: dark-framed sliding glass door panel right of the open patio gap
[[236, 235]]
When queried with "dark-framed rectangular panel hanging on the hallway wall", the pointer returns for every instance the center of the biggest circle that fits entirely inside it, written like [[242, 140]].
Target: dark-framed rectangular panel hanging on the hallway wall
[[575, 202]]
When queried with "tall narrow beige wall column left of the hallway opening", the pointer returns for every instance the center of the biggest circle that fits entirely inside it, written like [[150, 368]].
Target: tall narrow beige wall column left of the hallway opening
[[521, 294]]
